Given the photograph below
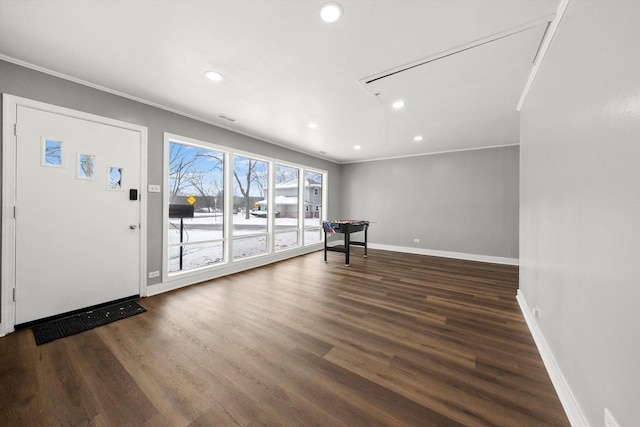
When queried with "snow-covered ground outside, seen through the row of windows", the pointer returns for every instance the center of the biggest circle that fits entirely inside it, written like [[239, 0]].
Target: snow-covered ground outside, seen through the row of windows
[[203, 237]]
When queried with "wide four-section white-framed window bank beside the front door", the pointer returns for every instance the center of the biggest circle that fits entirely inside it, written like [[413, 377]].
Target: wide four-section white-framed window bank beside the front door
[[224, 207]]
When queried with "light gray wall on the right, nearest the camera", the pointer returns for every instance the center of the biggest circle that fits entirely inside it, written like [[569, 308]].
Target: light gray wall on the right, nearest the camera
[[580, 205]]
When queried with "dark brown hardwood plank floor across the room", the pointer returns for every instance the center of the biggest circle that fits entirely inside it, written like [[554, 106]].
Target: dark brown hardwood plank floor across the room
[[395, 339]]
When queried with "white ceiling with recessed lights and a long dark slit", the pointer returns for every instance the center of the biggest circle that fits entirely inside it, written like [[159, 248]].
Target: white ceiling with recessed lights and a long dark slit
[[460, 66]]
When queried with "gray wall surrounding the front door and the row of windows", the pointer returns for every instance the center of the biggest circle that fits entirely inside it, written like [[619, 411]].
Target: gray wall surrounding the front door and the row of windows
[[27, 83]]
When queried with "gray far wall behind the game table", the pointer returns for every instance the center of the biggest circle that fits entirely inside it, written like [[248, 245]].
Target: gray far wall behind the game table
[[465, 202]]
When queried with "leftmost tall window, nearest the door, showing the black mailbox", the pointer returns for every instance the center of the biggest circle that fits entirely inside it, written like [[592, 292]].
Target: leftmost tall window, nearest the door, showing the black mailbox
[[196, 220]]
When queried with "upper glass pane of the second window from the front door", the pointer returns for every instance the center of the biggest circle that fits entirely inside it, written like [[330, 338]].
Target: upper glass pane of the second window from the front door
[[250, 177]]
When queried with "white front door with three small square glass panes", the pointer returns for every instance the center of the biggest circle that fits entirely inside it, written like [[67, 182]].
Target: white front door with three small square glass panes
[[77, 233]]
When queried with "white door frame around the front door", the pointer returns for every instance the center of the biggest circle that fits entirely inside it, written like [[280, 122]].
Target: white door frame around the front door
[[10, 106]]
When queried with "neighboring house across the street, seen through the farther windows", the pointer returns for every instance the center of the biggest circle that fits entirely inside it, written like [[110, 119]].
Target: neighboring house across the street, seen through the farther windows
[[286, 199]]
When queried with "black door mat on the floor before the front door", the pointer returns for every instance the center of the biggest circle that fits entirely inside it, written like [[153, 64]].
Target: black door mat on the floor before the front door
[[80, 322]]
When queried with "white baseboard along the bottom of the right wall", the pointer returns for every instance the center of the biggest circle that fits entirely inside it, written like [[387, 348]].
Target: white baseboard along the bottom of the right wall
[[569, 402]]
